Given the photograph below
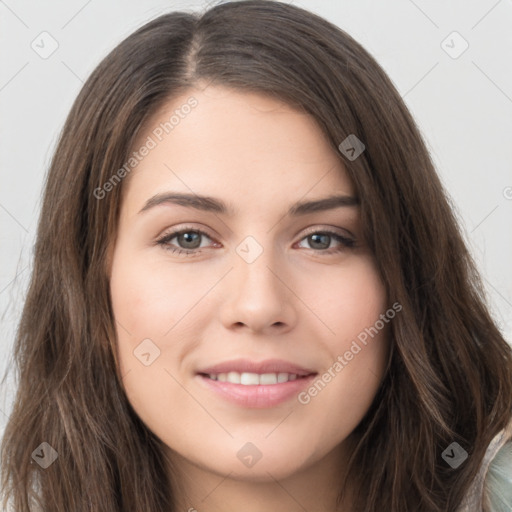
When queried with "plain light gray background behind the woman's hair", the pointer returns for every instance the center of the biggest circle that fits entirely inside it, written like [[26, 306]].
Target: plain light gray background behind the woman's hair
[[463, 106]]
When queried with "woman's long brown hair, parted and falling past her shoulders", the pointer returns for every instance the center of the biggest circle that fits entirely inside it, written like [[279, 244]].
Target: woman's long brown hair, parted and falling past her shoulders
[[450, 372]]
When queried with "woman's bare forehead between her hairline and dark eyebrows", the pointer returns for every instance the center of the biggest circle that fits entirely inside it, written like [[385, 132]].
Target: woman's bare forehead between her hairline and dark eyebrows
[[241, 146]]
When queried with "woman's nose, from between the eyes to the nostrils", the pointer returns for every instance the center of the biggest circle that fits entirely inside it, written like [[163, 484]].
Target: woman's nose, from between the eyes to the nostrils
[[259, 295]]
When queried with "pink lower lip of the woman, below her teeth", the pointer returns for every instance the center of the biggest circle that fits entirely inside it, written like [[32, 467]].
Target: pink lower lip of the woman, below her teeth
[[257, 396]]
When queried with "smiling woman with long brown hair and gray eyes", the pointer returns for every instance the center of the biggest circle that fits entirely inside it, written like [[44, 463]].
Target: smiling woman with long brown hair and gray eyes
[[255, 370]]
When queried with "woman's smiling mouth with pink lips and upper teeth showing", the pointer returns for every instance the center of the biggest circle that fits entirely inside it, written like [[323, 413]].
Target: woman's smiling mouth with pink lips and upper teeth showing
[[256, 385]]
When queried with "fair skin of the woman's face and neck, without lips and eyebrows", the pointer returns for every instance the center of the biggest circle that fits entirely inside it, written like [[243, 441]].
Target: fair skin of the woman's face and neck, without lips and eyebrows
[[294, 302]]
